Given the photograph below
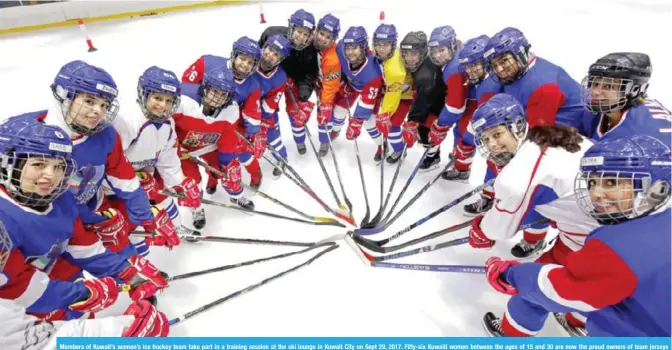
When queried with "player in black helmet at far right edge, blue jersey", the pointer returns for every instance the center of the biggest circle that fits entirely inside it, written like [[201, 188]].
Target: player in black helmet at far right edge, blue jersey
[[615, 91]]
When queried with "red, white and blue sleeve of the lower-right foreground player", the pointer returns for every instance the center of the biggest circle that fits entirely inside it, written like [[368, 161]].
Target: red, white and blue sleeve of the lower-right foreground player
[[593, 278]]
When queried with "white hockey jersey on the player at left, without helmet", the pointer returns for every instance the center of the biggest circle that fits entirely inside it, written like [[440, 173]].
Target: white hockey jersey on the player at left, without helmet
[[150, 146]]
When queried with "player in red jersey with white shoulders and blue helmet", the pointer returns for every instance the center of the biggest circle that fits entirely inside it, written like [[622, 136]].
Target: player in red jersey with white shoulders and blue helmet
[[205, 123]]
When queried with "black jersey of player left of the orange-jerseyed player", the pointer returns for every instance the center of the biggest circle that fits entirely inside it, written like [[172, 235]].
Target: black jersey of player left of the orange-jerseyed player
[[300, 66]]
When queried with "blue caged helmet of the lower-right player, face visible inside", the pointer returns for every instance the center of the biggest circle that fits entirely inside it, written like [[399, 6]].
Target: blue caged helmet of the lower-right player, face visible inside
[[624, 178]]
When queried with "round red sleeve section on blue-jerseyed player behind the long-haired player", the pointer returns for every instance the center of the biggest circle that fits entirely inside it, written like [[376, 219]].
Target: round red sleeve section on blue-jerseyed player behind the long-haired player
[[543, 105]]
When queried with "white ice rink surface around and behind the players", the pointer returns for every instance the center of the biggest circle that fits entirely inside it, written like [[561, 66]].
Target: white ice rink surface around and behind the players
[[337, 295]]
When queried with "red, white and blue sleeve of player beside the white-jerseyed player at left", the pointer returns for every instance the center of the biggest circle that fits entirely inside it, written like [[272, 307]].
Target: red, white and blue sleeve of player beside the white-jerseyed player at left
[[121, 176]]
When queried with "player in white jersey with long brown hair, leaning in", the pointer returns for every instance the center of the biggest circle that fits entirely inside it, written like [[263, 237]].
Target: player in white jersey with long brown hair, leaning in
[[530, 175]]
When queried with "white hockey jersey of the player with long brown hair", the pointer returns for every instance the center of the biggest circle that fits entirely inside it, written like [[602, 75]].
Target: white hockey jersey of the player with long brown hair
[[533, 178]]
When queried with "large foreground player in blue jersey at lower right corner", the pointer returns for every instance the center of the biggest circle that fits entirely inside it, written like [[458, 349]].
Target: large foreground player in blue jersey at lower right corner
[[624, 266]]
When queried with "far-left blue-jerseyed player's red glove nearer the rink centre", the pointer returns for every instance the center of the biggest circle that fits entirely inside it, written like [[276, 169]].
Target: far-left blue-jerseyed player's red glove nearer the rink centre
[[145, 279]]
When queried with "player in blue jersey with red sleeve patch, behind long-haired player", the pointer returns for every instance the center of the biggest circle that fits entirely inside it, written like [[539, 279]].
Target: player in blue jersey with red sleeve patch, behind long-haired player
[[548, 94]]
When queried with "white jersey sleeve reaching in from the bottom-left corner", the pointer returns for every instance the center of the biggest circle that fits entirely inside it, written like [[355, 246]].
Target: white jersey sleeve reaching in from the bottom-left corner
[[19, 331]]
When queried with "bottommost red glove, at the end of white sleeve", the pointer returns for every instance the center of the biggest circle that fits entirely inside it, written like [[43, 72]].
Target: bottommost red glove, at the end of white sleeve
[[149, 322]]
